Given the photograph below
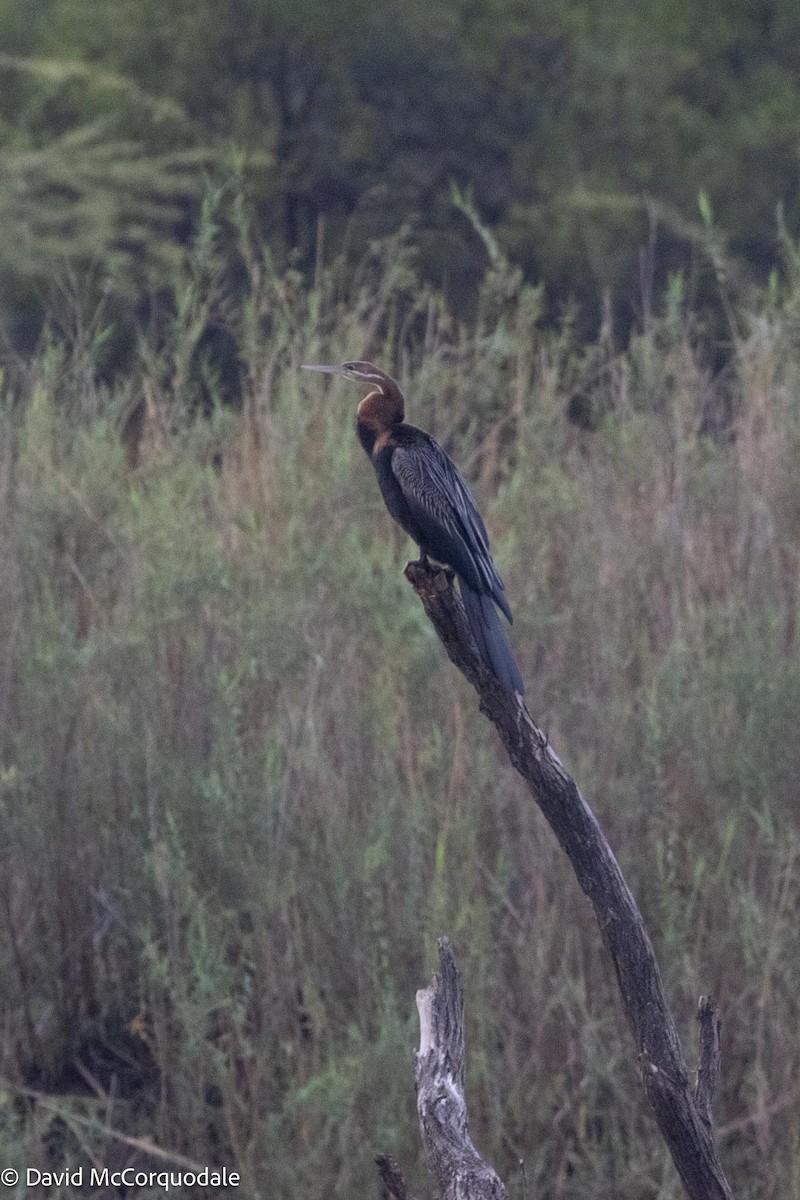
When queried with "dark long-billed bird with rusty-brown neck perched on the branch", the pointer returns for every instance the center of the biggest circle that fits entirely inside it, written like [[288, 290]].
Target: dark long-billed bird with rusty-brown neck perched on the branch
[[428, 496]]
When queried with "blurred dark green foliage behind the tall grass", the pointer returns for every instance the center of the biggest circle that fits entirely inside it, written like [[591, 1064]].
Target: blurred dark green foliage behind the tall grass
[[582, 128]]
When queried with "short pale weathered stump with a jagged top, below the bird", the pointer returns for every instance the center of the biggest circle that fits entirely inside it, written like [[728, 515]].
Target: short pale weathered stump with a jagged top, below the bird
[[458, 1168]]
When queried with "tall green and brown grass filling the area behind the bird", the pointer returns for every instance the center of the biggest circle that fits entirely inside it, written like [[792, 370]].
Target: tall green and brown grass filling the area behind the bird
[[243, 791]]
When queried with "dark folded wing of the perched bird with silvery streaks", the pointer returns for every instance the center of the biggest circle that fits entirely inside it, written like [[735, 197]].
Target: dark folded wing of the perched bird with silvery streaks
[[447, 513]]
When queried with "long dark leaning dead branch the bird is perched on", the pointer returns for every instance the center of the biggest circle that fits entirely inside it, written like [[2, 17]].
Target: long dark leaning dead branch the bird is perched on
[[684, 1115]]
